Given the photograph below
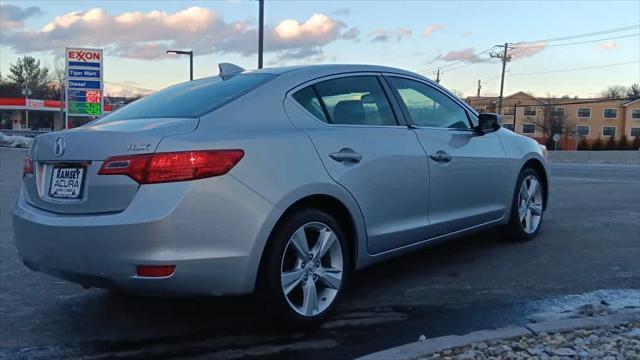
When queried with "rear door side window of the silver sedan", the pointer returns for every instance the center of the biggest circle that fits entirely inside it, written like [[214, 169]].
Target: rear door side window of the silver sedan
[[352, 100]]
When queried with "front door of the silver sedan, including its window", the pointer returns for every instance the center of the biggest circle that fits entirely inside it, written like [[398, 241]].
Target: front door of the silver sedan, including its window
[[467, 170]]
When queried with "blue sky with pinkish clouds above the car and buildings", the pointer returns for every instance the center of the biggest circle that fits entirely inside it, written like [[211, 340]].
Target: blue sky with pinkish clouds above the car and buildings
[[307, 32]]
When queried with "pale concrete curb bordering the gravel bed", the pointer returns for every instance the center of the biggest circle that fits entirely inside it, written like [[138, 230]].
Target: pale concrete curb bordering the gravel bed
[[434, 345]]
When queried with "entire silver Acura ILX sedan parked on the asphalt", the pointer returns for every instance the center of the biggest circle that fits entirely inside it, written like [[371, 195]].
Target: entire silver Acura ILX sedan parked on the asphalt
[[277, 181]]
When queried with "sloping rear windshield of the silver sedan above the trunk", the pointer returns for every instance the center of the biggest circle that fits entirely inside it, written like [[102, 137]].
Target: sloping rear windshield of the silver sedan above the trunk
[[190, 99]]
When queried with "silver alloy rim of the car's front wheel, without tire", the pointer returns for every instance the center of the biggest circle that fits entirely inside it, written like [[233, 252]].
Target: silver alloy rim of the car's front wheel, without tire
[[530, 204]]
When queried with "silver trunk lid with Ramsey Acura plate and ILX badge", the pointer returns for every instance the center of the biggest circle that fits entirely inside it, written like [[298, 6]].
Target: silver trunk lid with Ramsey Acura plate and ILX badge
[[65, 176]]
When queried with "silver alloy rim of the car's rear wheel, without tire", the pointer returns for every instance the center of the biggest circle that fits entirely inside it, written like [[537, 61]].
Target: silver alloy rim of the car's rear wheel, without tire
[[312, 268]]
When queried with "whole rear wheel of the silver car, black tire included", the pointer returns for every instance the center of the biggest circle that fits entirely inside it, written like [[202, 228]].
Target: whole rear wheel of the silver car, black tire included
[[288, 282]]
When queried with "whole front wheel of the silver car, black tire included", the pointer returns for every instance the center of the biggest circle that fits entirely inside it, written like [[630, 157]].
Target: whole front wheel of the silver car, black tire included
[[527, 207]]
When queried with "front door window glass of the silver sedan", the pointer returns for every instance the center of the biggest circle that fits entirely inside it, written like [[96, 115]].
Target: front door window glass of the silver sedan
[[429, 107]]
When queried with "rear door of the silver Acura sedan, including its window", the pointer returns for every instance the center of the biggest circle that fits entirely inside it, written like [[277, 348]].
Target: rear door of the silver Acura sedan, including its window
[[364, 148]]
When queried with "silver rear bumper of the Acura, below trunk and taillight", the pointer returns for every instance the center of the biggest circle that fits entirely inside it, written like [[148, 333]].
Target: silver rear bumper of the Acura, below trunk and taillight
[[212, 230]]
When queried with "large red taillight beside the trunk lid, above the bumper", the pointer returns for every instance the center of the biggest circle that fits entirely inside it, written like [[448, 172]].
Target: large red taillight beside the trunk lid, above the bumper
[[173, 166]]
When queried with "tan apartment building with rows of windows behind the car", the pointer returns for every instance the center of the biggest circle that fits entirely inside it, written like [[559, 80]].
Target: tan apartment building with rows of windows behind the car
[[579, 118]]
